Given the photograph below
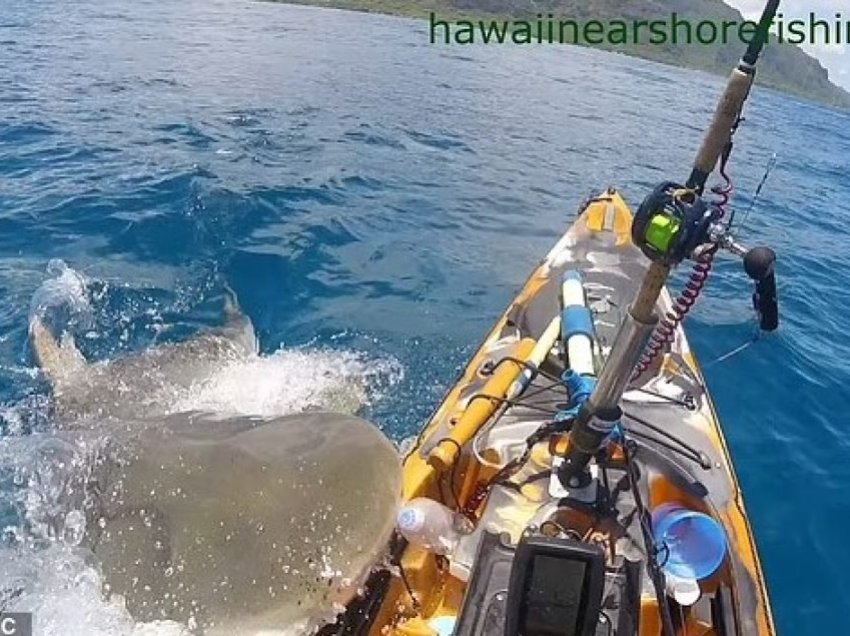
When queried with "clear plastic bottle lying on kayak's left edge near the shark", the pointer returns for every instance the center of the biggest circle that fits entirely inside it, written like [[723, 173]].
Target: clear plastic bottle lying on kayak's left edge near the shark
[[431, 525]]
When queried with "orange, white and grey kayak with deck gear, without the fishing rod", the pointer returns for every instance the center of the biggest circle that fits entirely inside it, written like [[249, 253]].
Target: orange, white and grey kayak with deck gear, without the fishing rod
[[518, 381]]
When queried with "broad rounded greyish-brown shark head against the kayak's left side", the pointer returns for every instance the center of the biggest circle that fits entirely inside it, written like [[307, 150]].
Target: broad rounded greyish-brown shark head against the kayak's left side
[[244, 525]]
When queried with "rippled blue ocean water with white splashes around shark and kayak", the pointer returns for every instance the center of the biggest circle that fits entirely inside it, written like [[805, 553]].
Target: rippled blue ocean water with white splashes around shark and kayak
[[376, 202]]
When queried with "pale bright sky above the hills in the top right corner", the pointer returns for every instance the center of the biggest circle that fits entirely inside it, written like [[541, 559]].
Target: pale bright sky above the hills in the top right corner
[[835, 57]]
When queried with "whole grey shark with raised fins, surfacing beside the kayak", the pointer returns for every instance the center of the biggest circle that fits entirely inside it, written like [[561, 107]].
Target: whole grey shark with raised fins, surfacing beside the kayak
[[230, 524]]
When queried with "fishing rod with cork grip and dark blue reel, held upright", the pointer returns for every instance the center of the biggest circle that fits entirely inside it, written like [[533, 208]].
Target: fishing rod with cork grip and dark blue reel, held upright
[[675, 223]]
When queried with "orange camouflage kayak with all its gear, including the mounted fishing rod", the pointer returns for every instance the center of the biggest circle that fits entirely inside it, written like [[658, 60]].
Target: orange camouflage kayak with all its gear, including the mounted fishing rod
[[575, 480]]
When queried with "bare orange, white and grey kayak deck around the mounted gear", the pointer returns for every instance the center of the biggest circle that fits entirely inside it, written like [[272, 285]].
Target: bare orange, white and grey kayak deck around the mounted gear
[[681, 454]]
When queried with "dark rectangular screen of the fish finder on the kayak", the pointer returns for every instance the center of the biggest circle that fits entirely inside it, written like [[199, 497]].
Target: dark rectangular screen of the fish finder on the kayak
[[553, 597]]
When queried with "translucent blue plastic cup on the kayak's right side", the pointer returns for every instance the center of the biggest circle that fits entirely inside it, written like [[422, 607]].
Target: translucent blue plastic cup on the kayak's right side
[[690, 544]]
